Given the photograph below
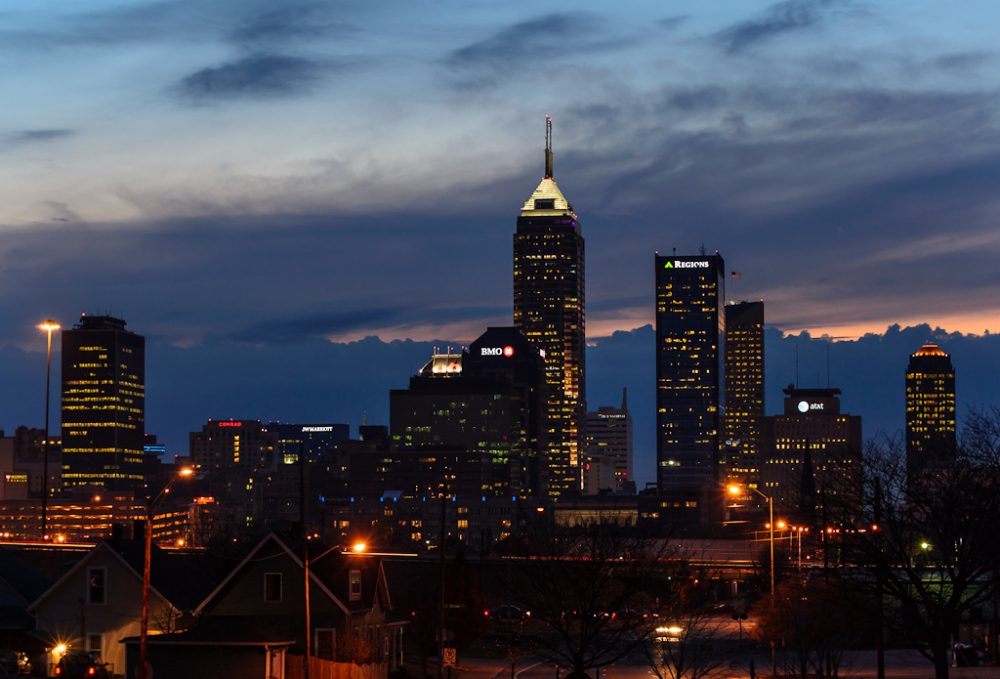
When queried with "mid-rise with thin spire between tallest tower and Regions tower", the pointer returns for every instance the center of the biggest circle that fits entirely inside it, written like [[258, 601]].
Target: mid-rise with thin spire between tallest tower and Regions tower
[[609, 450]]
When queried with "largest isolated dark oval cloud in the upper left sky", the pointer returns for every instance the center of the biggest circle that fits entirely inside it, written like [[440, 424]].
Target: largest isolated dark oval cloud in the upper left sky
[[255, 75]]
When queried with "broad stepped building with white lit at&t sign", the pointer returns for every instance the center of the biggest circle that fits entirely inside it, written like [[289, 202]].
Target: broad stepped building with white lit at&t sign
[[811, 455]]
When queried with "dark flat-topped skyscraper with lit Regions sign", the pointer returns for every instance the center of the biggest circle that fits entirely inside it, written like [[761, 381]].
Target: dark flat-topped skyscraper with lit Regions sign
[[690, 327]]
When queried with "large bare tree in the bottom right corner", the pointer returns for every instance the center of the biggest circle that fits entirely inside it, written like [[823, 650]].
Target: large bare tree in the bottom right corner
[[932, 543]]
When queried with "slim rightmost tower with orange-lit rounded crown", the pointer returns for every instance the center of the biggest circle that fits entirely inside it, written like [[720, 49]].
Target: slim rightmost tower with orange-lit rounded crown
[[930, 410]]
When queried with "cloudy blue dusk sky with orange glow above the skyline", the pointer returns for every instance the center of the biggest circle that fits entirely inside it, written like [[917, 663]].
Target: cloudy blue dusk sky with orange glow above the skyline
[[244, 179]]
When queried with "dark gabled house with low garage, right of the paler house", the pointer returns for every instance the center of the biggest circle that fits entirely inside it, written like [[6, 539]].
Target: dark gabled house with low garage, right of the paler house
[[257, 614]]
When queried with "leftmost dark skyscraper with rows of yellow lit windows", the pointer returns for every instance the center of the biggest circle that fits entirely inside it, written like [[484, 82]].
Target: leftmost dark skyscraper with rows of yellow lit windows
[[103, 404]]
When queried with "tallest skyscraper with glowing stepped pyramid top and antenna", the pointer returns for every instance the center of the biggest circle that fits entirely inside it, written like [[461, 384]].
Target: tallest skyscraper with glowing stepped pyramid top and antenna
[[549, 310]]
